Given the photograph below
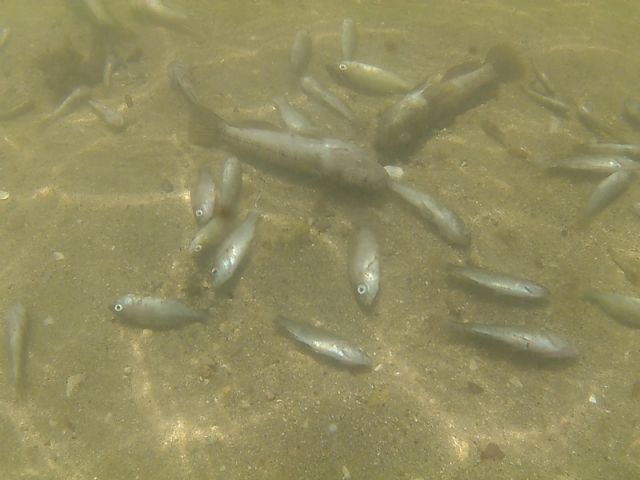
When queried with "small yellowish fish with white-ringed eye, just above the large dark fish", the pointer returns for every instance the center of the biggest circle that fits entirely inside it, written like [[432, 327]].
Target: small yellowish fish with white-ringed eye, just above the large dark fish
[[365, 78]]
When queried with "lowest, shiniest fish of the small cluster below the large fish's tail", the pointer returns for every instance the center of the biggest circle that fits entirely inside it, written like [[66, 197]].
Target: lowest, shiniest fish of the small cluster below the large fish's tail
[[233, 250]]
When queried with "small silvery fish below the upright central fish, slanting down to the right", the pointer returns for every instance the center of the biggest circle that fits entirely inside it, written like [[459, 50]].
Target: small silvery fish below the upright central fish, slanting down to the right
[[326, 343]]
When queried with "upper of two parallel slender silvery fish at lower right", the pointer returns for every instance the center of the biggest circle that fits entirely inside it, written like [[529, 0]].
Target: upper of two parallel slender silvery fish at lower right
[[499, 283]]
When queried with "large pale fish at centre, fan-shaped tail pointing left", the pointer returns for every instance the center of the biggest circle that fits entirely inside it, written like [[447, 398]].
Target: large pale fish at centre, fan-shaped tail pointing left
[[336, 160]]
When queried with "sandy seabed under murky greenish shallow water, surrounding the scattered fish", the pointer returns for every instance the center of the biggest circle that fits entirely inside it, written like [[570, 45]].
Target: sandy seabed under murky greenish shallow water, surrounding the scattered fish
[[238, 399]]
